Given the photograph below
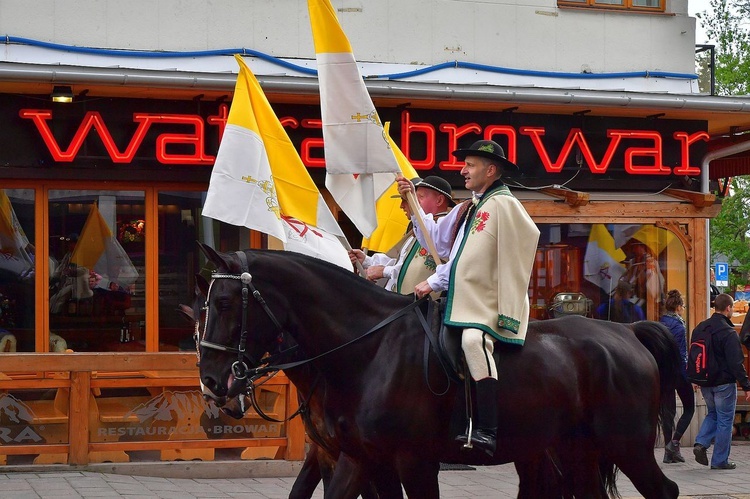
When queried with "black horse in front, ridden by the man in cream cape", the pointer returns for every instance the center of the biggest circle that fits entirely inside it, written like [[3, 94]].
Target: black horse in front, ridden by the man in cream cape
[[583, 392]]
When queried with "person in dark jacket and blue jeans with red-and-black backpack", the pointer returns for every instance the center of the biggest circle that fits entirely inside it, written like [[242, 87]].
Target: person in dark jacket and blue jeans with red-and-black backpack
[[716, 364]]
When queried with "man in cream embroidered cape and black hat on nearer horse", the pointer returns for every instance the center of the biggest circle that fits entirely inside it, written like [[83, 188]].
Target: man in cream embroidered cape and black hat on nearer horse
[[490, 245]]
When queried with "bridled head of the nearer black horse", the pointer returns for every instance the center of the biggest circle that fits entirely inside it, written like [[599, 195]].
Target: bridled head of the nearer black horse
[[240, 326]]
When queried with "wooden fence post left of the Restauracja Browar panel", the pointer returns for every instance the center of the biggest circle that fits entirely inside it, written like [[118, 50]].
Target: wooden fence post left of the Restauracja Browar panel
[[78, 417]]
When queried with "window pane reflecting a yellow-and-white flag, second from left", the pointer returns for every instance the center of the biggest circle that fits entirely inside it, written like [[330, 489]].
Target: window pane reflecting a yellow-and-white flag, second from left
[[97, 245]]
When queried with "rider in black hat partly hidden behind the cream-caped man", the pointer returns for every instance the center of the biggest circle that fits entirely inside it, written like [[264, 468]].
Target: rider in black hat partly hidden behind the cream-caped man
[[414, 264]]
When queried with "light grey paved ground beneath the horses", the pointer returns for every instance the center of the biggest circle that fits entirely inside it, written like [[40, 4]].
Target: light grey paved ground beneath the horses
[[266, 480]]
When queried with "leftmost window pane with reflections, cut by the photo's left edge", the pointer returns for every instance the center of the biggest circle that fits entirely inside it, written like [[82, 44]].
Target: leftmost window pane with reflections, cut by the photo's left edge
[[17, 270]]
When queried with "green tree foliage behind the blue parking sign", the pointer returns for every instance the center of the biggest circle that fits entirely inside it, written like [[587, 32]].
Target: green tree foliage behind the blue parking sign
[[729, 231]]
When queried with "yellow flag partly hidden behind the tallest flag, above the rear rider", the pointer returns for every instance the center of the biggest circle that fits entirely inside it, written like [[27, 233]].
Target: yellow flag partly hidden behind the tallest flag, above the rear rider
[[392, 221]]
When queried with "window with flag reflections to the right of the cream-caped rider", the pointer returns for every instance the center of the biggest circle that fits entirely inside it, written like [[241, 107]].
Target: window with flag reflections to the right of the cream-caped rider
[[578, 268]]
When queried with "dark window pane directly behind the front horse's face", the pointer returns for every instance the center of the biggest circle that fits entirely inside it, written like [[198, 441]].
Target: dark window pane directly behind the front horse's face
[[180, 226]]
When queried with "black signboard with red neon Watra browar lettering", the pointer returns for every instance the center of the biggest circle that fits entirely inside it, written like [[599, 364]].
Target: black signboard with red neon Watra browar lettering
[[577, 150]]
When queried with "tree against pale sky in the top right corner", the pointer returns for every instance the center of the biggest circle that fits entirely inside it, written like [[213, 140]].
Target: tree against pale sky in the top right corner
[[727, 23]]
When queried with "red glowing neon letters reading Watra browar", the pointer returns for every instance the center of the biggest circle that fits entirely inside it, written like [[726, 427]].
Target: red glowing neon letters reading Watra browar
[[636, 160]]
